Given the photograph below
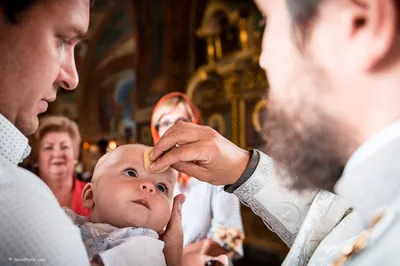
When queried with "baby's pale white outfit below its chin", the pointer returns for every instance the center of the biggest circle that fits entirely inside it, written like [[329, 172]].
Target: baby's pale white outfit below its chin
[[100, 237]]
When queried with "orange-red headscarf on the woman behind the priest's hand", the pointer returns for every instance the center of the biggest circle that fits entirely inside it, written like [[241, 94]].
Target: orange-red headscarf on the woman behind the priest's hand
[[195, 119]]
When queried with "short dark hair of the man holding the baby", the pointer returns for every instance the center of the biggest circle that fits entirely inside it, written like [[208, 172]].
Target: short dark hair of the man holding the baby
[[13, 9]]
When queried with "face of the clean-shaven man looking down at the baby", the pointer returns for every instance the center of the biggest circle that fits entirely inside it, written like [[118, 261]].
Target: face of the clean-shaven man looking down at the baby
[[37, 57]]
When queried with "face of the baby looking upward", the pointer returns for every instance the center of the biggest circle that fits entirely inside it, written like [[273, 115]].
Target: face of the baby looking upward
[[126, 195]]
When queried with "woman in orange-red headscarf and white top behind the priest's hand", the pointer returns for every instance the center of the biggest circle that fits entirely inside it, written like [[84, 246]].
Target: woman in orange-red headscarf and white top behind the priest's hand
[[210, 216]]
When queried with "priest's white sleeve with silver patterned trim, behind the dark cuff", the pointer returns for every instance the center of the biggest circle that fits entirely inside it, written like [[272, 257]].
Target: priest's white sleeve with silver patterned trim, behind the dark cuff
[[314, 224]]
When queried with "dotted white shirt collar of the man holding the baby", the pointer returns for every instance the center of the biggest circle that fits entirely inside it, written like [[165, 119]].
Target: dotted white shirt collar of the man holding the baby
[[13, 144]]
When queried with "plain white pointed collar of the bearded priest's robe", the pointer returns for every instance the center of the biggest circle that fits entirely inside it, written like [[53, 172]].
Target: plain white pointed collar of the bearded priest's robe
[[369, 181]]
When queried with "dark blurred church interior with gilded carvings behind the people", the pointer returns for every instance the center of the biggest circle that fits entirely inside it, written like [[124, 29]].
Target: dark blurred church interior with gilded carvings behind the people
[[137, 51]]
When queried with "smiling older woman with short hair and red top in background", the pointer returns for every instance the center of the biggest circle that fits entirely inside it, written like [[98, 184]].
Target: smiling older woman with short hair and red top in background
[[55, 151]]
